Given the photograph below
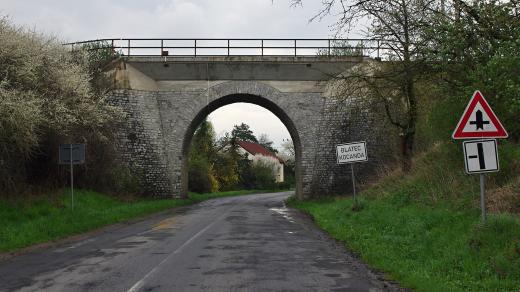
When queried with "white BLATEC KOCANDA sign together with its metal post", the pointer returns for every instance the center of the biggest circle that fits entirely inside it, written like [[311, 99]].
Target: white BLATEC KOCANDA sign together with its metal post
[[352, 153]]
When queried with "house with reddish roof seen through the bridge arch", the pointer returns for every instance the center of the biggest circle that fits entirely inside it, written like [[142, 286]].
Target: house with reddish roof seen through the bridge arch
[[256, 152]]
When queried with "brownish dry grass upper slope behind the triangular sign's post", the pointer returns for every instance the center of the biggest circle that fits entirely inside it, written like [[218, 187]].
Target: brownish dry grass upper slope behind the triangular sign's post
[[438, 176]]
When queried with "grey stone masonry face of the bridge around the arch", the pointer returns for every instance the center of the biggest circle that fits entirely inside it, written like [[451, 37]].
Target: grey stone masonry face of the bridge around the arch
[[161, 123]]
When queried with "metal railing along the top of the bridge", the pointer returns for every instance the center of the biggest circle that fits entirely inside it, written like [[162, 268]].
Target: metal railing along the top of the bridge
[[180, 47]]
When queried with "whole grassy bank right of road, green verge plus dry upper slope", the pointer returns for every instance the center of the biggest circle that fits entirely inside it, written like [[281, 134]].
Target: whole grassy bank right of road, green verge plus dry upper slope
[[424, 229]]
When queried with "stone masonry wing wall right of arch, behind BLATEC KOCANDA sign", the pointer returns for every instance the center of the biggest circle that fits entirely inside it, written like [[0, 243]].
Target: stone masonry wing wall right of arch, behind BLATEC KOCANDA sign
[[350, 120]]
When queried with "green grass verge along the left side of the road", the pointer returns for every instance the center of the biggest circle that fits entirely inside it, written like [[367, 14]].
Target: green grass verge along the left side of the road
[[31, 221]]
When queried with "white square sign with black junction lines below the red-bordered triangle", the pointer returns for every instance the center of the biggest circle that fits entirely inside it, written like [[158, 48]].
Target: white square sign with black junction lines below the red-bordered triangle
[[480, 156]]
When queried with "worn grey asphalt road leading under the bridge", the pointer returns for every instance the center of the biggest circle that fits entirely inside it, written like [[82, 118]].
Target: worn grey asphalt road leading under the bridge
[[247, 243]]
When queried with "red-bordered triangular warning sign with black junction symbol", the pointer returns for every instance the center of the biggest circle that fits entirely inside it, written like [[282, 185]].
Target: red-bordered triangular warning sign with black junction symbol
[[479, 121]]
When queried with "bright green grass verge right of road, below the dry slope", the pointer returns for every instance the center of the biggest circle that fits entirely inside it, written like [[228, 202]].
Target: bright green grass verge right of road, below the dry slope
[[429, 249]]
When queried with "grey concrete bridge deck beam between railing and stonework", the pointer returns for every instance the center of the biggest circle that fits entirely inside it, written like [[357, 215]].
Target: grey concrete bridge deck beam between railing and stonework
[[282, 68]]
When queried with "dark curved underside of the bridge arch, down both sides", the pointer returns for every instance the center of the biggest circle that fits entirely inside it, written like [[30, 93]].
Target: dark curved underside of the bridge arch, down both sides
[[243, 98]]
